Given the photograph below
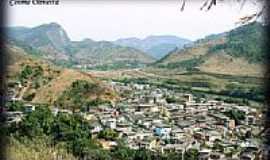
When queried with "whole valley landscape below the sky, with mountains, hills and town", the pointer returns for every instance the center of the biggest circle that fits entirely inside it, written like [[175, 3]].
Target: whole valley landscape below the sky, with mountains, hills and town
[[93, 99]]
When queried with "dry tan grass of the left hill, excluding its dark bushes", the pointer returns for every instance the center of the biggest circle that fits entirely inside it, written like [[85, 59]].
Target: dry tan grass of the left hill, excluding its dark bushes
[[57, 79]]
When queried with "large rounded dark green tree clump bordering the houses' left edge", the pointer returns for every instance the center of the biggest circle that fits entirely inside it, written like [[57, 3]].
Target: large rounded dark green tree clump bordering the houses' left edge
[[75, 132]]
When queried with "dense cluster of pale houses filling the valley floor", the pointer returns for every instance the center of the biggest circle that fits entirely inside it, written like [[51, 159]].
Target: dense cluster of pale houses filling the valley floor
[[145, 119]]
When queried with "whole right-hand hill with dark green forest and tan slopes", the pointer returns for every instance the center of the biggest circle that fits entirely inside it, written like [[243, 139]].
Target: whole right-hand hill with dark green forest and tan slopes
[[239, 51]]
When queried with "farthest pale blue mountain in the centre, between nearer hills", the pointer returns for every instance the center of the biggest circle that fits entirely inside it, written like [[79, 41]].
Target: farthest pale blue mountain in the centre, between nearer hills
[[155, 46]]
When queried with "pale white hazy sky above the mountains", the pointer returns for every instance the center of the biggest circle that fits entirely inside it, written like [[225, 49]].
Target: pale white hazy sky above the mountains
[[110, 20]]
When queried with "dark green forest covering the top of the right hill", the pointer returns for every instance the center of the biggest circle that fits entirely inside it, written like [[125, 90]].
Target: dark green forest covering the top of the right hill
[[246, 41]]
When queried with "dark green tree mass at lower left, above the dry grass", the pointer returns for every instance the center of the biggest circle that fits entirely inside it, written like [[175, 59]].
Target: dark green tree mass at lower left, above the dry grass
[[63, 128]]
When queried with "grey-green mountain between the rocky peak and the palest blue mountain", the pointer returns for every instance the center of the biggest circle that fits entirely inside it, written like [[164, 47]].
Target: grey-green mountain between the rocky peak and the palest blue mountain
[[106, 53]]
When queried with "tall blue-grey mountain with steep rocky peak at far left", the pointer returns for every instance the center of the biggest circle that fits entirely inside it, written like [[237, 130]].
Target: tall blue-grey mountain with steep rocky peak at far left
[[49, 38]]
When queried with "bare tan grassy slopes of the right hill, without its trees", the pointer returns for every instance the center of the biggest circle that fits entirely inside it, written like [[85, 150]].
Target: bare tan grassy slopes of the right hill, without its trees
[[221, 63]]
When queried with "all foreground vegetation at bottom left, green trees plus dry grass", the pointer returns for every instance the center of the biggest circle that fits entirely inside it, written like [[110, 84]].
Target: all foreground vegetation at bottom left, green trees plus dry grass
[[69, 136]]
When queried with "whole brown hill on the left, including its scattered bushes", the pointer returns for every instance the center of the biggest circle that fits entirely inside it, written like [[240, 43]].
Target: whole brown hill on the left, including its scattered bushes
[[43, 82]]
